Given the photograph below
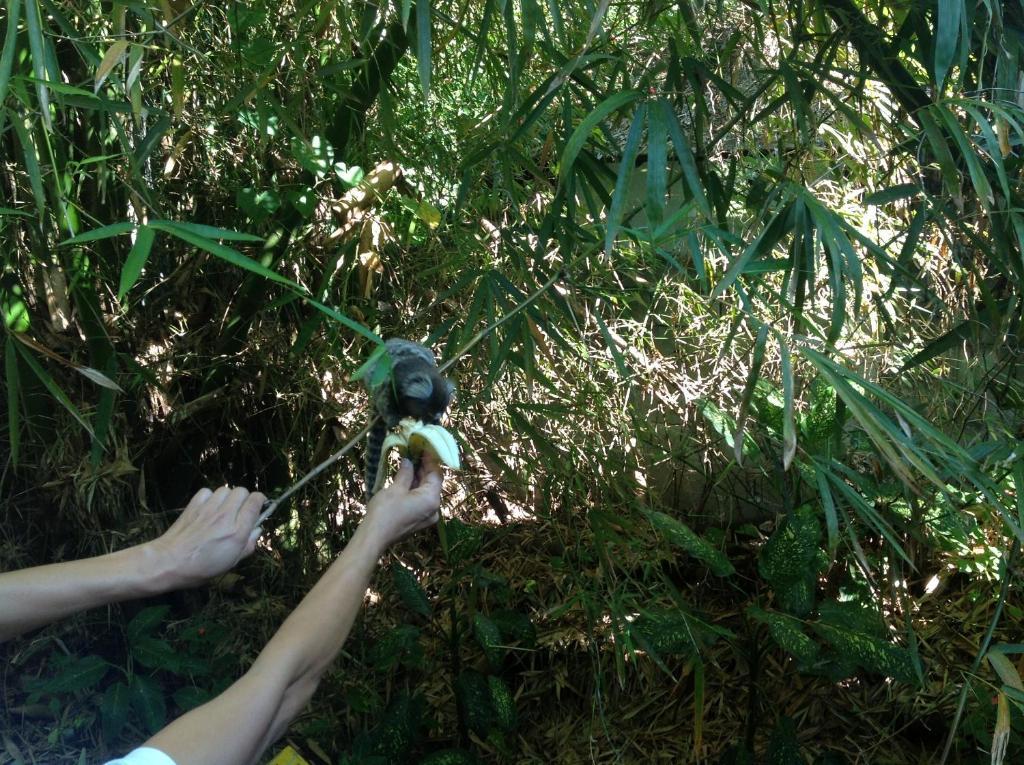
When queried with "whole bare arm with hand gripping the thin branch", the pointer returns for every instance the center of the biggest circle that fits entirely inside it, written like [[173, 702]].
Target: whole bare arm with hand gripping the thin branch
[[214, 533]]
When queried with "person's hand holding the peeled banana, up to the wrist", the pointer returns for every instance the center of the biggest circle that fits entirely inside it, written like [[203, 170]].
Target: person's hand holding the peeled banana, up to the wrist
[[409, 504]]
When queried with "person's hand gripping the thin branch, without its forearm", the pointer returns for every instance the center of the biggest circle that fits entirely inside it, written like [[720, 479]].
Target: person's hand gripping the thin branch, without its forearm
[[215, 533]]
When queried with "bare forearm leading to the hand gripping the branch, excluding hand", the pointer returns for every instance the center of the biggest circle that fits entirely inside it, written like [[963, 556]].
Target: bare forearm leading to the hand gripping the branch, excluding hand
[[34, 598]]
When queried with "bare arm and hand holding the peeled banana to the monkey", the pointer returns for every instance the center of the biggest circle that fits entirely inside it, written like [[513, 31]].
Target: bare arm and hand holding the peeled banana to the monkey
[[239, 725]]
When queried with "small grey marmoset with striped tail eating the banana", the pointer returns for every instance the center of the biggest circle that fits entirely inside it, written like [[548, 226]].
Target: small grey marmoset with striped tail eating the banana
[[414, 389]]
